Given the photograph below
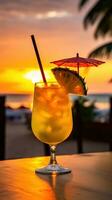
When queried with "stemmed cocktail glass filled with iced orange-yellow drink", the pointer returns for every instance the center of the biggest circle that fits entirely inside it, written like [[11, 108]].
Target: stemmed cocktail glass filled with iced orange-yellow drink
[[51, 121]]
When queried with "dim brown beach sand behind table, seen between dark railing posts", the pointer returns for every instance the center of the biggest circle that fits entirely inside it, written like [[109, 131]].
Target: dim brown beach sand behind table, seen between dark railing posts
[[21, 143]]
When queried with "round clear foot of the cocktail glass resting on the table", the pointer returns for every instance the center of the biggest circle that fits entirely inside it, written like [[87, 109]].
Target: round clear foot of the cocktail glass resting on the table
[[53, 169]]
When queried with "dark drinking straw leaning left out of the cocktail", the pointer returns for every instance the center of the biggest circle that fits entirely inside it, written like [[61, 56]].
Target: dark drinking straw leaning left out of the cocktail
[[38, 59]]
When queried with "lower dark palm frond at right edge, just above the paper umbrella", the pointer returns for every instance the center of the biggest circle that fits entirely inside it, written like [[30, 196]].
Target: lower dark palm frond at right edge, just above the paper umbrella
[[102, 51]]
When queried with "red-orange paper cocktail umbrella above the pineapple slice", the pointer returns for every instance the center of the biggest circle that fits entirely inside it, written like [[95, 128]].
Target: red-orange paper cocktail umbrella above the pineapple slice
[[78, 62]]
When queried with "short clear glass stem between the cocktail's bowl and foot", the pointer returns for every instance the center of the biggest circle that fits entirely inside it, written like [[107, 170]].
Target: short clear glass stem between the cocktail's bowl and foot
[[53, 155]]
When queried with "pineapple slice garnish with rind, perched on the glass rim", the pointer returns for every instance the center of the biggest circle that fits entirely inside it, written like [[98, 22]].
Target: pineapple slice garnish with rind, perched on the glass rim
[[70, 80]]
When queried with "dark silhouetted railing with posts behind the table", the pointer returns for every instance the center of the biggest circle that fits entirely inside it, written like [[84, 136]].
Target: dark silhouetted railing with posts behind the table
[[94, 130]]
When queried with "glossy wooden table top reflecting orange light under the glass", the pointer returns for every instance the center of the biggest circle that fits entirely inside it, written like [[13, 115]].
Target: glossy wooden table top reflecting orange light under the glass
[[91, 179]]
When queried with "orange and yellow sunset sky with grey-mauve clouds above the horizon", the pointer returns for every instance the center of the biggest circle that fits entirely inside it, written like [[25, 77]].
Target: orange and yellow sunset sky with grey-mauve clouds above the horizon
[[59, 32]]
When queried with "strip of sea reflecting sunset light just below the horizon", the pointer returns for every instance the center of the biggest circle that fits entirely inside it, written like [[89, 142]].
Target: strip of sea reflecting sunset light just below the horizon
[[16, 100]]
